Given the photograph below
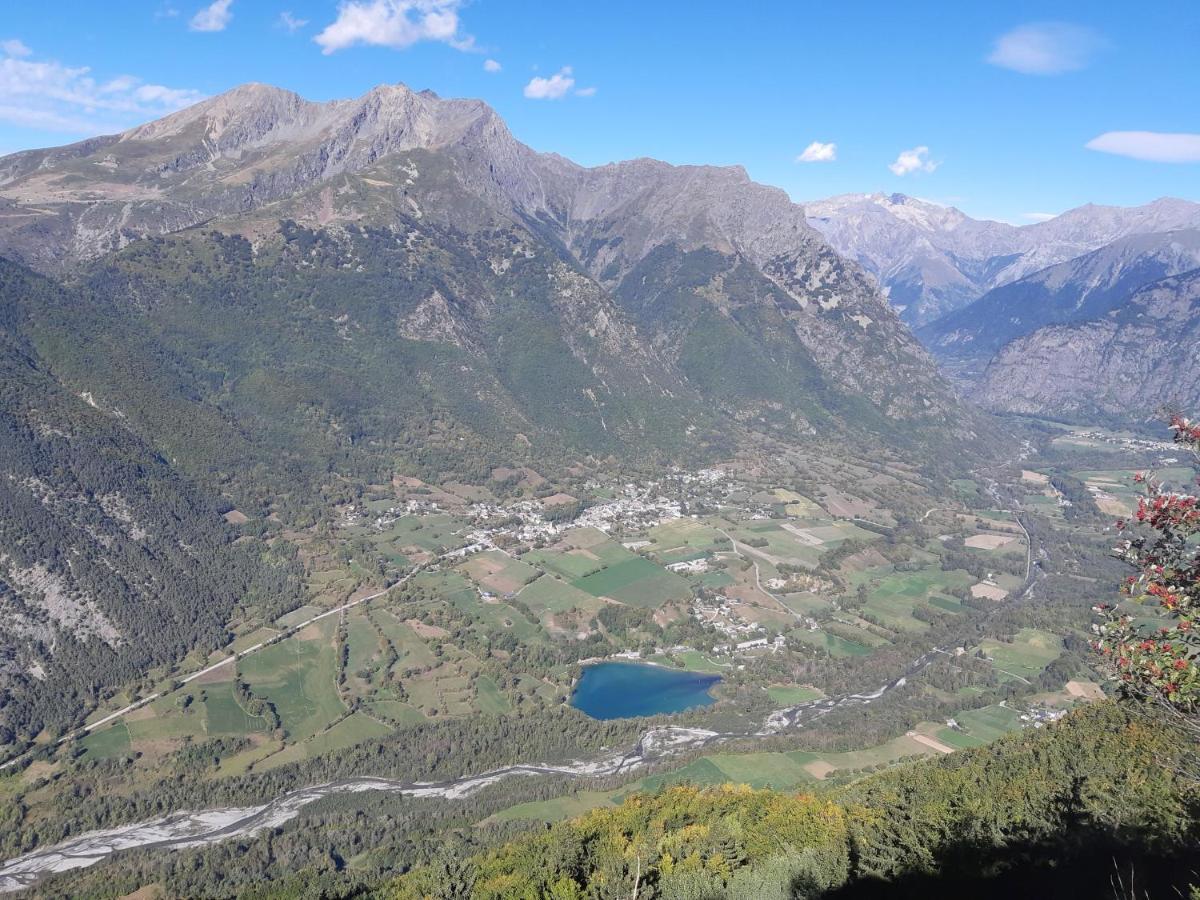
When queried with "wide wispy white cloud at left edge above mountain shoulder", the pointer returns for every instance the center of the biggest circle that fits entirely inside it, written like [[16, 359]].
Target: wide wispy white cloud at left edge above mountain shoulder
[[49, 95]]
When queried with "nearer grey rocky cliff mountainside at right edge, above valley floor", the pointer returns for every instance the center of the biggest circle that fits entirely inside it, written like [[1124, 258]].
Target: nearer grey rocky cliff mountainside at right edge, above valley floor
[[1126, 364]]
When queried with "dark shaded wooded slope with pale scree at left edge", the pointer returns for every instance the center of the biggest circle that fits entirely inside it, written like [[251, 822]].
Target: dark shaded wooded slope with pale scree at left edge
[[110, 562]]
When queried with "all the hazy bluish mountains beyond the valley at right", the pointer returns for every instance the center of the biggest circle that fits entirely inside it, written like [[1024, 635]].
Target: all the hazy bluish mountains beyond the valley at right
[[1041, 319]]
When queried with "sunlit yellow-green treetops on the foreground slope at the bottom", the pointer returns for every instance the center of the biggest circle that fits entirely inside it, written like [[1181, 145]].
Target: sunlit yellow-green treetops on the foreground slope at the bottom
[[1033, 800]]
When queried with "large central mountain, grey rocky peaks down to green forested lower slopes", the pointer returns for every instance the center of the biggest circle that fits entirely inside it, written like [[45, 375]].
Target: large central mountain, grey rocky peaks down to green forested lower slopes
[[398, 278]]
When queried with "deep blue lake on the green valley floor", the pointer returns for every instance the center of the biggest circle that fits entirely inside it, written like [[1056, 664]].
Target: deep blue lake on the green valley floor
[[619, 691]]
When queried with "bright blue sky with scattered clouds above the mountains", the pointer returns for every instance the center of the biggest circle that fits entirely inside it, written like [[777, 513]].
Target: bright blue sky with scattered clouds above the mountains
[[989, 107]]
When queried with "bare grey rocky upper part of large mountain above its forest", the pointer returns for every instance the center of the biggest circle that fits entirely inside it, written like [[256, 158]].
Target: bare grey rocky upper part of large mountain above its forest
[[403, 160]]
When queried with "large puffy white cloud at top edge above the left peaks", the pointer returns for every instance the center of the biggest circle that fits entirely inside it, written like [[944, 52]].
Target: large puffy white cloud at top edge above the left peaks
[[394, 23]]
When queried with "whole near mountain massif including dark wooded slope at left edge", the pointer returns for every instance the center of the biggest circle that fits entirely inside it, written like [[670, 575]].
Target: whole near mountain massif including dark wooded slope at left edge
[[261, 299]]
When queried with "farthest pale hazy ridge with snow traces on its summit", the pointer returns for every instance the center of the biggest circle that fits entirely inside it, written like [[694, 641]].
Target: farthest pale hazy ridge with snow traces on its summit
[[934, 260]]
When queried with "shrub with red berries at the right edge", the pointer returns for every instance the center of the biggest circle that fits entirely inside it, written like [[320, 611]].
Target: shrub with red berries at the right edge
[[1162, 542]]
